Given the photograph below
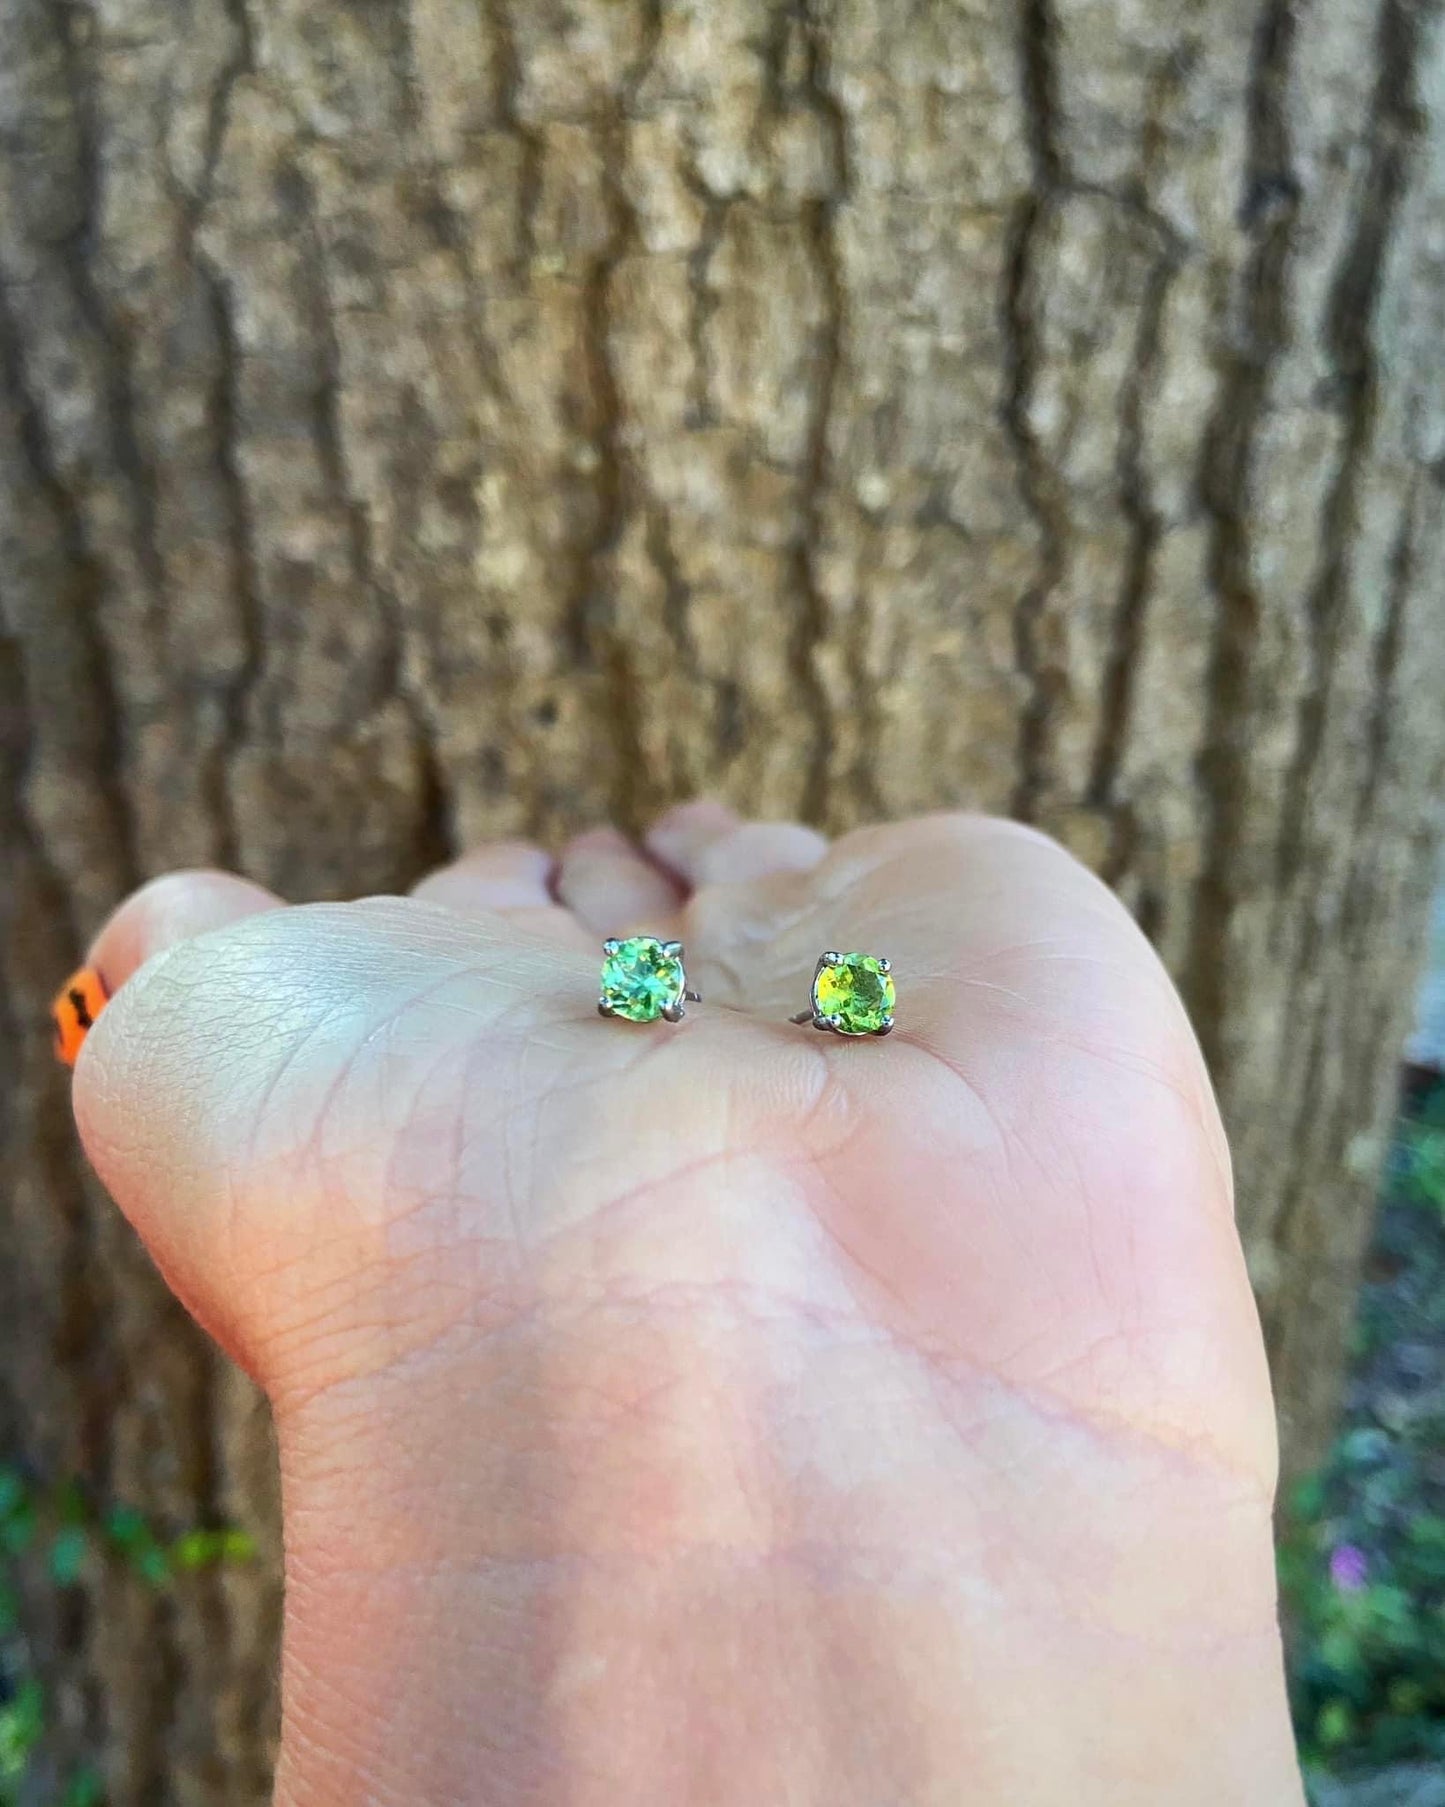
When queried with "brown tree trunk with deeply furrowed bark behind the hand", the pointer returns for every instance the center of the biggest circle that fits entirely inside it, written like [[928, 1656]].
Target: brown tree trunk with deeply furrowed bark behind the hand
[[425, 420]]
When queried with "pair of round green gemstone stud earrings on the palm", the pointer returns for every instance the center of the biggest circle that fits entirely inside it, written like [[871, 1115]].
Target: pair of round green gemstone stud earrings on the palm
[[644, 980]]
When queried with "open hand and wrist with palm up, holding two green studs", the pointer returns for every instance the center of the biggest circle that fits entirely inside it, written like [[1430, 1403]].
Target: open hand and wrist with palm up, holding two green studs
[[722, 1414]]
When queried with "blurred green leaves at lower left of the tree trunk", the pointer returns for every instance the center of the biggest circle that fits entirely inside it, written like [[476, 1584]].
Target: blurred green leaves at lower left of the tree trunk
[[55, 1537]]
